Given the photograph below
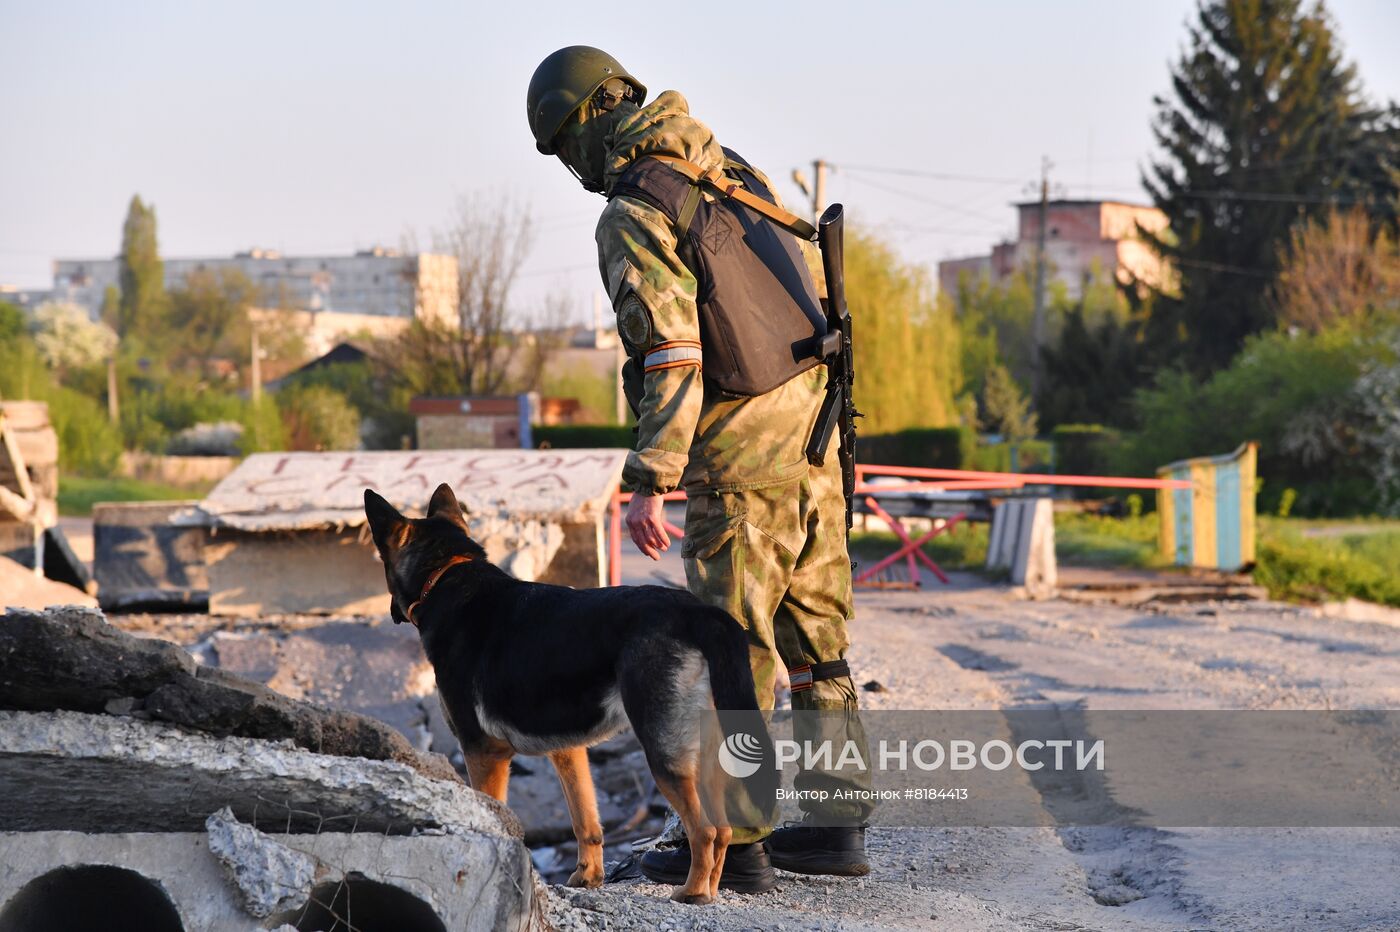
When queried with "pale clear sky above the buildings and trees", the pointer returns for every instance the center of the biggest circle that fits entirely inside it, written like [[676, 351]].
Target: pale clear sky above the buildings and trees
[[321, 128]]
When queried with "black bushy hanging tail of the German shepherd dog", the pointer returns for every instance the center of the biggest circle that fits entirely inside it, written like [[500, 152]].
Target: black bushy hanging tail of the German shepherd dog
[[744, 738]]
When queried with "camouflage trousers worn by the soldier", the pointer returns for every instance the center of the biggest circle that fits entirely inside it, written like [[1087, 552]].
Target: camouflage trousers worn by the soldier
[[776, 560]]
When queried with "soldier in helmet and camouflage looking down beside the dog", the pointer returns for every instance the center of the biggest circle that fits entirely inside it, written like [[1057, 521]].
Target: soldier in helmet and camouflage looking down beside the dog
[[713, 302]]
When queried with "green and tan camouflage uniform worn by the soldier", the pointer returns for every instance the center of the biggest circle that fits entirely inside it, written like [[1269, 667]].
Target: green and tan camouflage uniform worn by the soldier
[[765, 531]]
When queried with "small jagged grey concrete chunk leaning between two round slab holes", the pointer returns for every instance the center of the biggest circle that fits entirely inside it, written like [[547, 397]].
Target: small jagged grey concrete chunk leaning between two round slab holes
[[269, 875]]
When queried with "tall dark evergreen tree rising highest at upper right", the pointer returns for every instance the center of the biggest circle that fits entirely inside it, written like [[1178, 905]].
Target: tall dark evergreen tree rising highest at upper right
[[1268, 128]]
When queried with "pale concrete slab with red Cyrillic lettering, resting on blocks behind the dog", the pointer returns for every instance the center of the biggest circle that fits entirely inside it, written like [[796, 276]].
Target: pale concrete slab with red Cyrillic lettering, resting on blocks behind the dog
[[289, 528]]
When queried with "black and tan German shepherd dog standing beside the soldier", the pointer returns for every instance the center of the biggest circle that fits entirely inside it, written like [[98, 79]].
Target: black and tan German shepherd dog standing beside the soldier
[[538, 670]]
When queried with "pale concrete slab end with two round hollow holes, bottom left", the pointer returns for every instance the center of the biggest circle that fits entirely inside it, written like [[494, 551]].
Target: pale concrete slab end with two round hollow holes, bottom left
[[174, 881]]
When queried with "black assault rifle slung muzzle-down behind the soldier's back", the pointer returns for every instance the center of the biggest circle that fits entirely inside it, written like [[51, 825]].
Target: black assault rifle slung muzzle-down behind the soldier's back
[[838, 408]]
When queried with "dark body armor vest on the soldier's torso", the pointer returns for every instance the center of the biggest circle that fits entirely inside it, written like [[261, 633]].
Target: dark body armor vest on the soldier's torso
[[761, 320]]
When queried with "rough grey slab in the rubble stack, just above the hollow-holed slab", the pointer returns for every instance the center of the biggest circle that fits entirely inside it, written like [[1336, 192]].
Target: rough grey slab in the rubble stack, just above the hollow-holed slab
[[72, 772]]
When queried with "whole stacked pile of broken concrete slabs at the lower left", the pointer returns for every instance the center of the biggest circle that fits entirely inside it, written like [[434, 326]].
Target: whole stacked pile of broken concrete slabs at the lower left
[[131, 769]]
